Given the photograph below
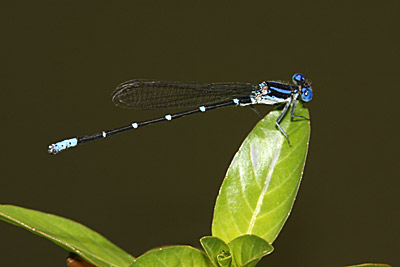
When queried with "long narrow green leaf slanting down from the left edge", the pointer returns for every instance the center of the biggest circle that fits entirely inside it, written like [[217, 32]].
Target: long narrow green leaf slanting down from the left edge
[[68, 234]]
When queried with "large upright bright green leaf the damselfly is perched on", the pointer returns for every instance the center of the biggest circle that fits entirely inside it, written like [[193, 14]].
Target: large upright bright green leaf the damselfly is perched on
[[262, 181]]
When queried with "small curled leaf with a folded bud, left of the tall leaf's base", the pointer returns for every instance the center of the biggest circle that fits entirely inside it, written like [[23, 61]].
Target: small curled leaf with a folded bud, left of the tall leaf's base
[[217, 250]]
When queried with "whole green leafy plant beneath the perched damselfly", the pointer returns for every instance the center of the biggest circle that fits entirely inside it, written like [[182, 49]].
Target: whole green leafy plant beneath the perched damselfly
[[253, 204]]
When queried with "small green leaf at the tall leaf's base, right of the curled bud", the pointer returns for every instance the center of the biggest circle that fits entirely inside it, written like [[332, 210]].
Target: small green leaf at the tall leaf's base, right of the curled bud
[[247, 250]]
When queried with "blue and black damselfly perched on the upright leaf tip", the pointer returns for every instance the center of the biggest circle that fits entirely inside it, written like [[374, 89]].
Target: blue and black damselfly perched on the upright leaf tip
[[154, 94]]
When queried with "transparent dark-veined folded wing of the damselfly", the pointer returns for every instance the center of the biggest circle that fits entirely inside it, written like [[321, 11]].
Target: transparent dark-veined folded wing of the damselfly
[[154, 94]]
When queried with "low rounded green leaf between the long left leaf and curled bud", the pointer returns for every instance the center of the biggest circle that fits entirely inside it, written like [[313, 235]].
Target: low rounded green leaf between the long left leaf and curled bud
[[173, 256]]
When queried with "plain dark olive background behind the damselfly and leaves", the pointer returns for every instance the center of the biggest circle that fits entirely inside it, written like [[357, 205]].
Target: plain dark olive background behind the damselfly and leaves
[[157, 186]]
